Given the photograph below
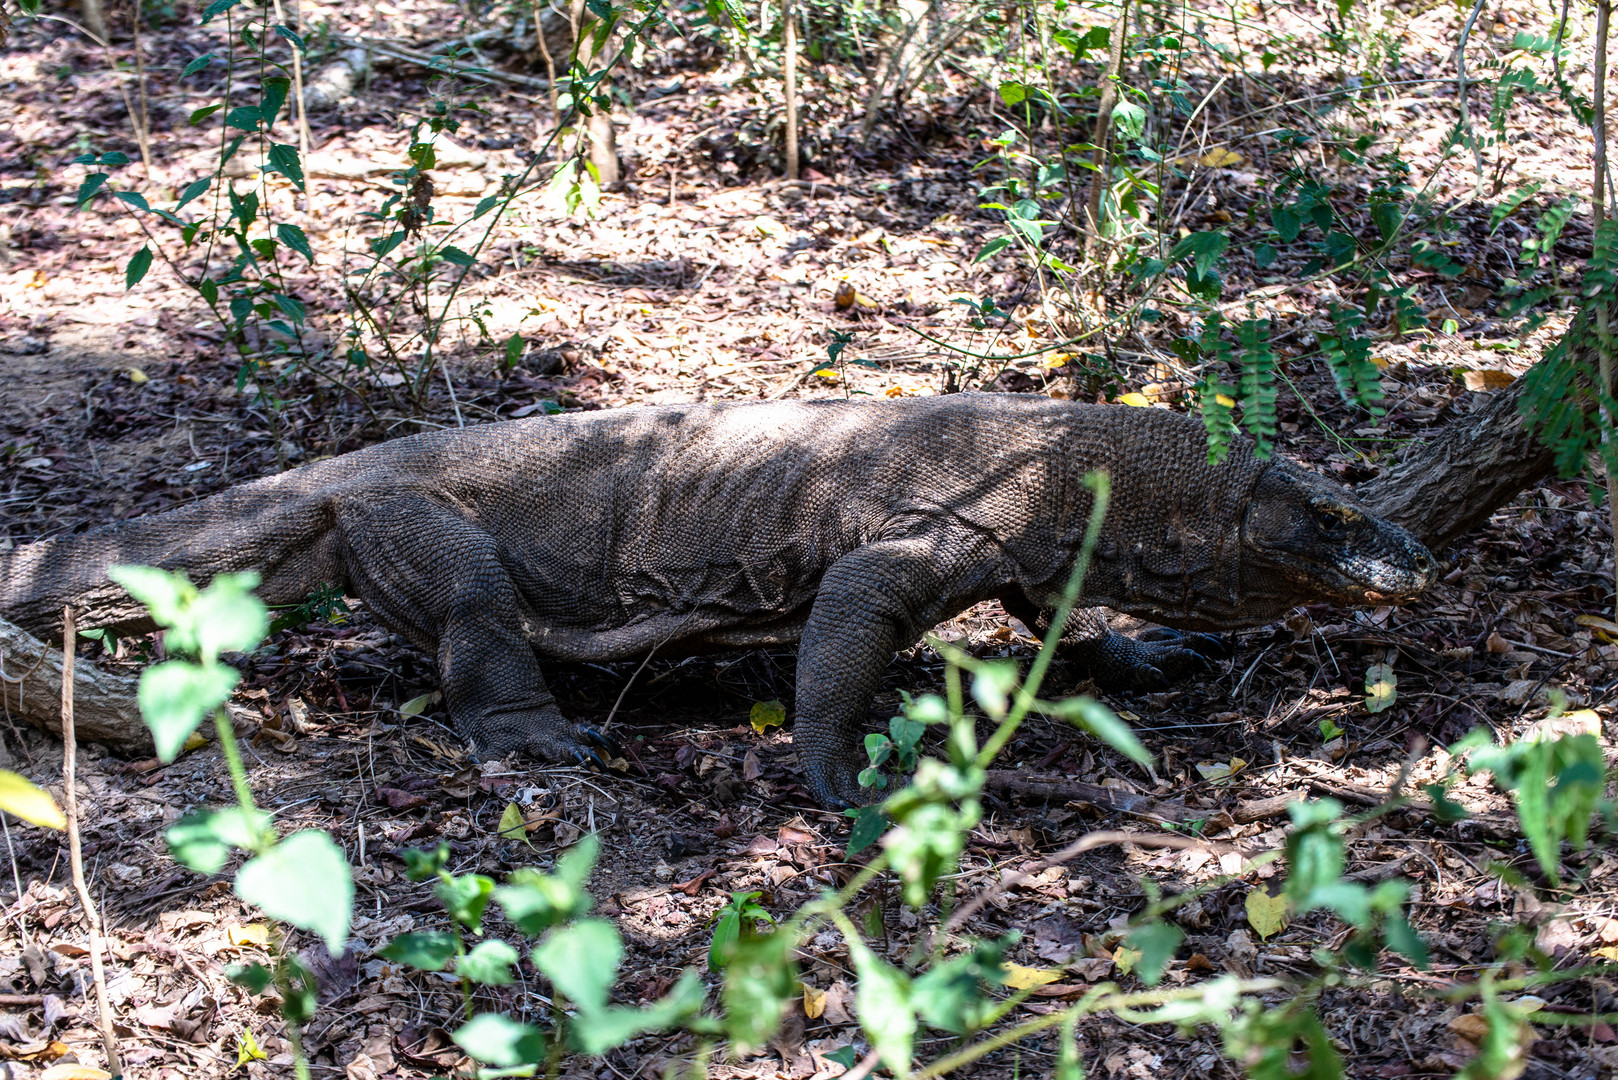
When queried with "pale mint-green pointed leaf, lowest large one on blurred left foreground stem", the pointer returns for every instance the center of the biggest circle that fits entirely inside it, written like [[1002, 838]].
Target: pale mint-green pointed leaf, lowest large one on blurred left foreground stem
[[305, 882]]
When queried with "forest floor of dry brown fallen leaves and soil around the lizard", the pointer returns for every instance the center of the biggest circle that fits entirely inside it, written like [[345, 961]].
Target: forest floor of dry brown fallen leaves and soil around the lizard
[[706, 279]]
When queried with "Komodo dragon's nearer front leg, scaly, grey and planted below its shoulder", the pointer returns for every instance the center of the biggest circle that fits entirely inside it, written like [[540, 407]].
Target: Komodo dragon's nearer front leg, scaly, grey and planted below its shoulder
[[873, 602]]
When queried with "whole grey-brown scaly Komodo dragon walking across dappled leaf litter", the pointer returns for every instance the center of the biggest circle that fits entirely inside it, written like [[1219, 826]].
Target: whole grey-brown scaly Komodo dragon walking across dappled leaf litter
[[849, 527]]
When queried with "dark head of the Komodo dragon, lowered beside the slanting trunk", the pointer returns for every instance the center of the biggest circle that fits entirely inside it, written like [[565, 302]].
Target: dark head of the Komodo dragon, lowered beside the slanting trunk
[[1323, 545]]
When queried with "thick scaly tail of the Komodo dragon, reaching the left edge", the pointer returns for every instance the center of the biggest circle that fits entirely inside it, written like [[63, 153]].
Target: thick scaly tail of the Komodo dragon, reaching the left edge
[[281, 527]]
